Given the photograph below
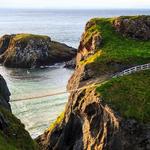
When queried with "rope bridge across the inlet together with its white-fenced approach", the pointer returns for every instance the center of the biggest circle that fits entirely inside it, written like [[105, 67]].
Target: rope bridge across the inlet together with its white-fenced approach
[[122, 73]]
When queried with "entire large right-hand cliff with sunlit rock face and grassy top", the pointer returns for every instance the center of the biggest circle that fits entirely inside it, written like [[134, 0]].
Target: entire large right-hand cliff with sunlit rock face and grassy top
[[110, 113]]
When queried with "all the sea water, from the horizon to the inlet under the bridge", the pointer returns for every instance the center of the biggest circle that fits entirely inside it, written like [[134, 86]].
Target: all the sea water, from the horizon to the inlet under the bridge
[[62, 25]]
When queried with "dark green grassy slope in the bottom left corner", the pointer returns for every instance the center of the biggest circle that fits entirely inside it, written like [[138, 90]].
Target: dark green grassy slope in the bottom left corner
[[14, 136]]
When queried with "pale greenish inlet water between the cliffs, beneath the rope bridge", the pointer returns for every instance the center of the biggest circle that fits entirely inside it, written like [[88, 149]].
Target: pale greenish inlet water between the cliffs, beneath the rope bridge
[[37, 114]]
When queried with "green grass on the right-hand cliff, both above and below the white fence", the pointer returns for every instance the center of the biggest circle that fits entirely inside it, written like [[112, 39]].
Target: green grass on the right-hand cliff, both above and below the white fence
[[128, 95]]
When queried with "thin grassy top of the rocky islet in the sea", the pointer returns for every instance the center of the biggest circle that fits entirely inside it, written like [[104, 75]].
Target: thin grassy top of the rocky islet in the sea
[[25, 36]]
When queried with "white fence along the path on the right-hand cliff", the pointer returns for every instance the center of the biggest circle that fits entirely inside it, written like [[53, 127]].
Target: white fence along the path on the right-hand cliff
[[132, 70]]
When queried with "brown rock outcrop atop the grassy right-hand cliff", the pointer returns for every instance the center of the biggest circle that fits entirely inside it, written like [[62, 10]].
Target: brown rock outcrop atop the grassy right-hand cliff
[[135, 27]]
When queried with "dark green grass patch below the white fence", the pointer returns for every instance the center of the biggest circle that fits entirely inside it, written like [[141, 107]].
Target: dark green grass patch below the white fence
[[129, 95]]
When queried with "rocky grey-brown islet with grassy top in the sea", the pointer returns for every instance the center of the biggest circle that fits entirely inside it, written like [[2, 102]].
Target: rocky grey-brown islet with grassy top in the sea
[[27, 51]]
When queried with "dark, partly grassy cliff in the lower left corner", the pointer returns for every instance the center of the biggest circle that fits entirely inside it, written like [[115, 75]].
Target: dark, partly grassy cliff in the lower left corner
[[13, 135]]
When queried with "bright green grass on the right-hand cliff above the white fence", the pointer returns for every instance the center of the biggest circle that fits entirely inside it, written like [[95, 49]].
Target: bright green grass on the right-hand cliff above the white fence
[[115, 48]]
